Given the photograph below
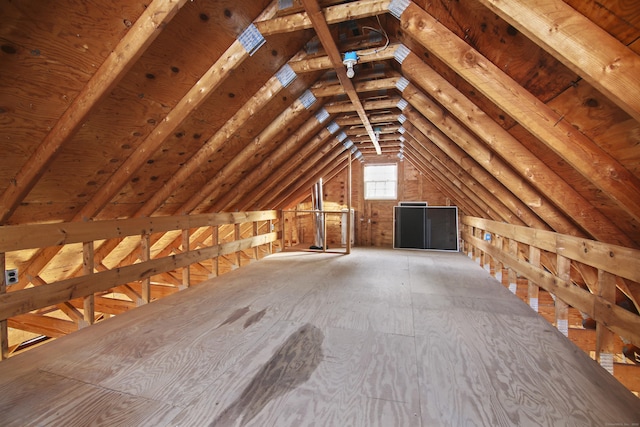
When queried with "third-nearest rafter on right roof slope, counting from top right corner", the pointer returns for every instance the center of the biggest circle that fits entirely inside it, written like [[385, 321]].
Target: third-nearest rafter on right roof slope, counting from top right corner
[[528, 166]]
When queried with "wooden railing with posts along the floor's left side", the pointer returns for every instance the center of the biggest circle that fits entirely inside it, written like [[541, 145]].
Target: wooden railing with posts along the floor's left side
[[147, 256]]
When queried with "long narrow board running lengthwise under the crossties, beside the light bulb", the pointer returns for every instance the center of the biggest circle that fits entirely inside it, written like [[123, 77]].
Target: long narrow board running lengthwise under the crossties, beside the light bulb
[[324, 34]]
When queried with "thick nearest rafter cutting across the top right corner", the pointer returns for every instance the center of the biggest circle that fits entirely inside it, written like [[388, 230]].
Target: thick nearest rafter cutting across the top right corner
[[580, 44]]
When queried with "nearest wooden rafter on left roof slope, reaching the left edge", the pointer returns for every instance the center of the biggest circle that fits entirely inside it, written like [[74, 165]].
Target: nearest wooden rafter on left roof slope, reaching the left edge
[[134, 43]]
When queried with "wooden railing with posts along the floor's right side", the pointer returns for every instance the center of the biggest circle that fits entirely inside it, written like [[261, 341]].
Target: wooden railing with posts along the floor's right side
[[580, 273]]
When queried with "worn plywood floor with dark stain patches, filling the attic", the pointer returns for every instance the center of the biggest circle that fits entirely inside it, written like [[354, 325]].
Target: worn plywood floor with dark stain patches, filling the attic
[[375, 338]]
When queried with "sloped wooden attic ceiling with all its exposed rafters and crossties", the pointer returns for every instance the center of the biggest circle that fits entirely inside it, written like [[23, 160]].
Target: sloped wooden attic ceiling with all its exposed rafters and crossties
[[527, 114]]
